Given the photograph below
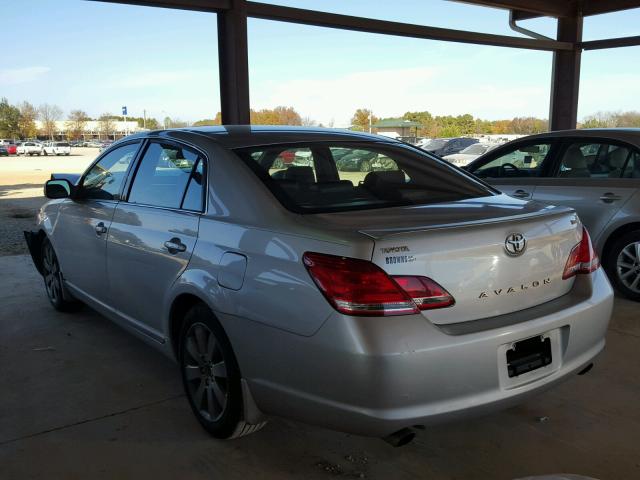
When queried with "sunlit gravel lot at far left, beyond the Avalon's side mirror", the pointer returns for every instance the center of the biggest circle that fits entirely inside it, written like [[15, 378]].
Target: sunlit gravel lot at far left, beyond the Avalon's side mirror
[[21, 183]]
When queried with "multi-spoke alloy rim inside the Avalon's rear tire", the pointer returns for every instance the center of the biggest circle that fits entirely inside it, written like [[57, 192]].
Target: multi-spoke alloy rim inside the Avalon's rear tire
[[205, 372]]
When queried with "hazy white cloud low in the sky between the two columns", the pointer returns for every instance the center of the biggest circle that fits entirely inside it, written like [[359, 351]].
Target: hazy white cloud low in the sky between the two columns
[[392, 92]]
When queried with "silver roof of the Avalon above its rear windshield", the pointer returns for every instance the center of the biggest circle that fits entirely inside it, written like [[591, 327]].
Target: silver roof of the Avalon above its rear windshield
[[235, 136]]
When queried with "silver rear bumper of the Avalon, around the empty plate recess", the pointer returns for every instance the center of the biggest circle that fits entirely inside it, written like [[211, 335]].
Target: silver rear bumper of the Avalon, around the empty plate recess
[[374, 376]]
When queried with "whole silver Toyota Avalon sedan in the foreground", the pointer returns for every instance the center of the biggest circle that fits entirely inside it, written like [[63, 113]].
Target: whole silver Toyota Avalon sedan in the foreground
[[367, 302]]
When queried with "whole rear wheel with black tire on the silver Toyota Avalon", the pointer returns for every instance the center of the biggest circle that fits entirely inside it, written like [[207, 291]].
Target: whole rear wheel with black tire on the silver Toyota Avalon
[[211, 376]]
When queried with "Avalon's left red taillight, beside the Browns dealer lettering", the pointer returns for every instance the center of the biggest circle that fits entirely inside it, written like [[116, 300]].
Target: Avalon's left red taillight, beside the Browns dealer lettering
[[359, 287]]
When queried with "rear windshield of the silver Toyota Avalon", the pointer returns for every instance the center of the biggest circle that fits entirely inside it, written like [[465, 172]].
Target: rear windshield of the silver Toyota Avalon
[[330, 177]]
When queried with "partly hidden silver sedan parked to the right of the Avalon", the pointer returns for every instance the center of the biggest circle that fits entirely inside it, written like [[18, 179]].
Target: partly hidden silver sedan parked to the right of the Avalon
[[594, 171]]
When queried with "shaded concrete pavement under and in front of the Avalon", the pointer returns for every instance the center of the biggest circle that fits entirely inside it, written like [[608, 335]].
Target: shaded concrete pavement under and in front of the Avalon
[[80, 398]]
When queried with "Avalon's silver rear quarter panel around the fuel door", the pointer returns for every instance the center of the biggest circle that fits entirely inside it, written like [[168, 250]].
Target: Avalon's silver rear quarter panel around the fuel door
[[277, 290]]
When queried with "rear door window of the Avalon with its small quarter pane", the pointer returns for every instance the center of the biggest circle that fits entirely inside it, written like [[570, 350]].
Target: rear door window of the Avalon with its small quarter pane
[[163, 175]]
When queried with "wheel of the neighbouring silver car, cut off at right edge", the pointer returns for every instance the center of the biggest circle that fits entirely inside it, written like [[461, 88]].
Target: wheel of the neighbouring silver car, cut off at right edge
[[622, 263]]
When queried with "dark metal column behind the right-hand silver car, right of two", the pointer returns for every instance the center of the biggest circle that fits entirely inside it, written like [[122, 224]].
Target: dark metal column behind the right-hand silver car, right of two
[[565, 76]]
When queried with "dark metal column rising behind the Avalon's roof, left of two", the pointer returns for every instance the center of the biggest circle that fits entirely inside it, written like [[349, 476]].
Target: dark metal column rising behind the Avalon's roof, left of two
[[233, 60]]
